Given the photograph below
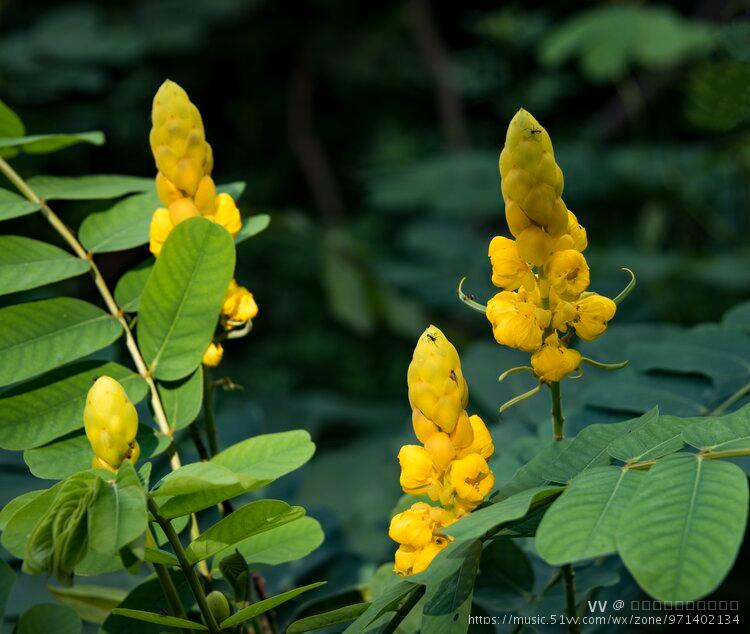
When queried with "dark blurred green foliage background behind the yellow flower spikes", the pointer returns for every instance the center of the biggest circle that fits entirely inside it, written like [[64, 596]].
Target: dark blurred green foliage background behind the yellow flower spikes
[[377, 160]]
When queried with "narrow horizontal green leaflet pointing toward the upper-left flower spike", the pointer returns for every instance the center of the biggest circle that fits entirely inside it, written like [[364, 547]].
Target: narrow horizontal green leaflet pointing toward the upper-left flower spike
[[98, 187]]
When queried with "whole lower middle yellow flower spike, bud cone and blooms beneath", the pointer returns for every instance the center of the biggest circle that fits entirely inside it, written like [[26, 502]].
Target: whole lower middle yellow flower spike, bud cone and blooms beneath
[[450, 465]]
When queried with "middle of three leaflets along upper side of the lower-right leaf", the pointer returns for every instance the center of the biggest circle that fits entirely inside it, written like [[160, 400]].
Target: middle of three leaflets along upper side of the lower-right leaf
[[657, 438]]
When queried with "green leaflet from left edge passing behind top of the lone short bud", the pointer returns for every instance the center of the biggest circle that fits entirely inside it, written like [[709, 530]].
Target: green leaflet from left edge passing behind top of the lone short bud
[[50, 407]]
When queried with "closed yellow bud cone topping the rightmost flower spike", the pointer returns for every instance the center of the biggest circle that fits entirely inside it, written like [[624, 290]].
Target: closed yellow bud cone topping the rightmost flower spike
[[531, 179]]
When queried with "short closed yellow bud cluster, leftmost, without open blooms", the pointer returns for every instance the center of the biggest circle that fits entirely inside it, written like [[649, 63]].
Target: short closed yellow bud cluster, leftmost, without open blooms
[[111, 424]]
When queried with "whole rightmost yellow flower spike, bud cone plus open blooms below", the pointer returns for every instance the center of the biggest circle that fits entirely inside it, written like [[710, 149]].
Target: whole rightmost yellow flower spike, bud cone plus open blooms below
[[543, 272]]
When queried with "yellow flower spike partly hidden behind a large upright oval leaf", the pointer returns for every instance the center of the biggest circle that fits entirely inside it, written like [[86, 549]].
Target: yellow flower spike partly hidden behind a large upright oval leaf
[[184, 161]]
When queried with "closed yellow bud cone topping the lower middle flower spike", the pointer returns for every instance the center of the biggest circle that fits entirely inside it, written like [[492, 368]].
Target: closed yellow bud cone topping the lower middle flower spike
[[437, 387]]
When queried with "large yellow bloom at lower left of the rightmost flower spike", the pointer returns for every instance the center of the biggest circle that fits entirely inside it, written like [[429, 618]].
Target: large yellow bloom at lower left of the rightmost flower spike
[[517, 320]]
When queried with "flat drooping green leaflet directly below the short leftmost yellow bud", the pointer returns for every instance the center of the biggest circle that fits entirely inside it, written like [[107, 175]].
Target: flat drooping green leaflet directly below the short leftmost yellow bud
[[118, 515]]
